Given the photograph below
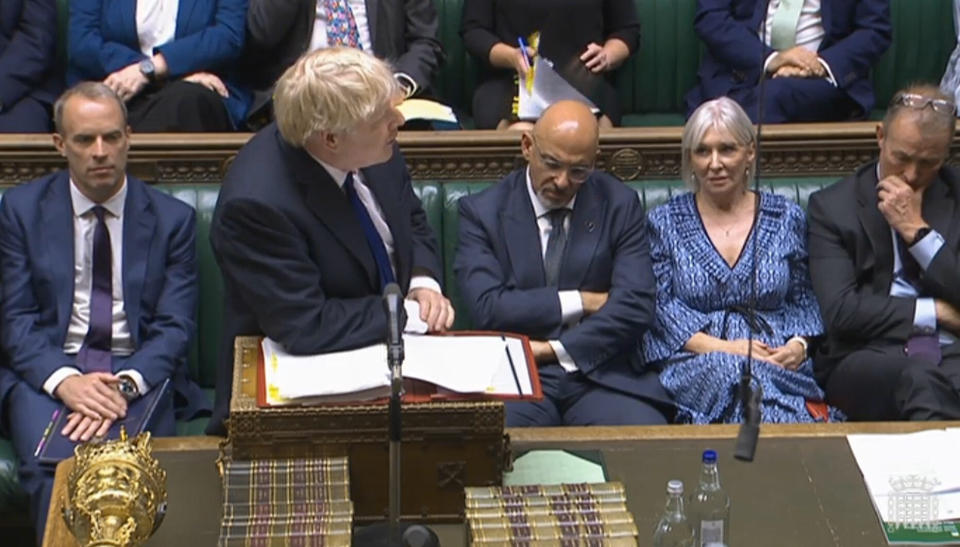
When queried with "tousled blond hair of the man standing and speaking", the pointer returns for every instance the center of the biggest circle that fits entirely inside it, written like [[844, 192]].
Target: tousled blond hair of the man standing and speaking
[[333, 90]]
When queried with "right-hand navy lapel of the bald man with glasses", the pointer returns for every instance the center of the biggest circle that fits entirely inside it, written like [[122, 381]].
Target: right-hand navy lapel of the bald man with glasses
[[582, 236]]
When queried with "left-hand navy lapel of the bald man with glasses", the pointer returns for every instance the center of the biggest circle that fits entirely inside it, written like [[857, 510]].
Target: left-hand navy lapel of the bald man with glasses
[[522, 236]]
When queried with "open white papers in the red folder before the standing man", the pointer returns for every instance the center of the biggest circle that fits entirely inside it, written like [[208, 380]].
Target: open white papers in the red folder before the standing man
[[489, 365]]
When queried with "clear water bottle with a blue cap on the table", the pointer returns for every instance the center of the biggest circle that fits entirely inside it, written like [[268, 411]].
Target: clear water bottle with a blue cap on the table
[[710, 506]]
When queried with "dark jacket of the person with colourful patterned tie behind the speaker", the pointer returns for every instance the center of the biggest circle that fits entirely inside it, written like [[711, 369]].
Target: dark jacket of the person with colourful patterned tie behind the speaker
[[404, 32]]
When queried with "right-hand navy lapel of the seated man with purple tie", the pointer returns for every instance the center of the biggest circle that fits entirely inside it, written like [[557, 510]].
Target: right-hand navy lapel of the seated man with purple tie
[[139, 226]]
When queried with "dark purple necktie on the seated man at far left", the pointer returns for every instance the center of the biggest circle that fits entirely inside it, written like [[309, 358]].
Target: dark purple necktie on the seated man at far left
[[94, 355]]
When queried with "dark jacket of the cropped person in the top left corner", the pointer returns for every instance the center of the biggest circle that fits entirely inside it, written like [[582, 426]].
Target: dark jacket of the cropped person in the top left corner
[[28, 42]]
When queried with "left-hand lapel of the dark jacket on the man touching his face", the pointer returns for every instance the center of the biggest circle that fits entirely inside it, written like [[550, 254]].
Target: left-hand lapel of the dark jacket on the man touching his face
[[875, 227]]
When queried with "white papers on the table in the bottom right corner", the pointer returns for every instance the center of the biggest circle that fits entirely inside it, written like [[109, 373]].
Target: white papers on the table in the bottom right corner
[[914, 483]]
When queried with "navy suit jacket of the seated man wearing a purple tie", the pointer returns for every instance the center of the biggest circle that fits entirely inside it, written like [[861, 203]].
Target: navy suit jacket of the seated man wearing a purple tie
[[159, 283]]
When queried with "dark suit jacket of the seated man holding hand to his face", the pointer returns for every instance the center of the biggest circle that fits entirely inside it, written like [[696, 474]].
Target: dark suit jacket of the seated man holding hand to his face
[[851, 264]]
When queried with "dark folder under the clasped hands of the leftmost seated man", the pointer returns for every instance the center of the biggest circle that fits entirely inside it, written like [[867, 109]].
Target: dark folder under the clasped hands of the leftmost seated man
[[54, 446]]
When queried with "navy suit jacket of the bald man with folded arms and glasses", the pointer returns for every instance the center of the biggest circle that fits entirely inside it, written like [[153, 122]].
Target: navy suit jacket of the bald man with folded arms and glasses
[[499, 268]]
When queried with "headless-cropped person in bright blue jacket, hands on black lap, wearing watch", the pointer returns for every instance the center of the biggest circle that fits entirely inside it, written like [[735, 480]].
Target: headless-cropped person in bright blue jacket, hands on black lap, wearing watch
[[171, 61]]
